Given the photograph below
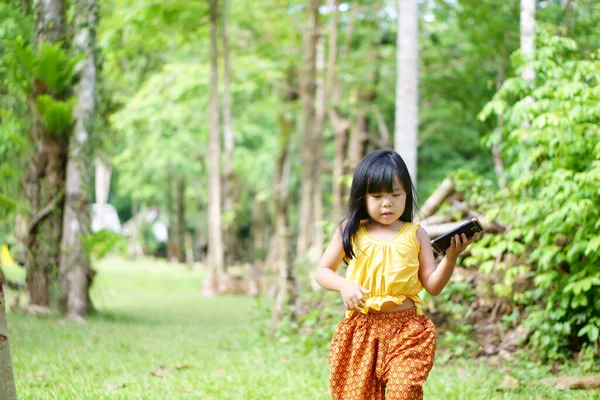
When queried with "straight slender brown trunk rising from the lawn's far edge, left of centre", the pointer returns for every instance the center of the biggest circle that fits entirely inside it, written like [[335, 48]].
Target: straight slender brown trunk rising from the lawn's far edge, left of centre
[[215, 239]]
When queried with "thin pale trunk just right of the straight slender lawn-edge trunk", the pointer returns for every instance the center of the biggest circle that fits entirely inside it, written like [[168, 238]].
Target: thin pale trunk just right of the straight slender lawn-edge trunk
[[228, 205]]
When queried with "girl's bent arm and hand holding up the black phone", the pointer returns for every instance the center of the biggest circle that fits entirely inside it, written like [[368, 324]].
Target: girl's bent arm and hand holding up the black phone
[[435, 277]]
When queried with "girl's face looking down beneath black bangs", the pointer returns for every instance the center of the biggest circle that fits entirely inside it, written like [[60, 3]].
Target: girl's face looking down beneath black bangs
[[386, 208]]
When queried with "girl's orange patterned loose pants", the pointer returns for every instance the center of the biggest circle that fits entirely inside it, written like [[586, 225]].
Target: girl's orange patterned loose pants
[[381, 355]]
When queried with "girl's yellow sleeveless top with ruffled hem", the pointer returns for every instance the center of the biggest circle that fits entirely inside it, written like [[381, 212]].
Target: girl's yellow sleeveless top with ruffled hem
[[389, 268]]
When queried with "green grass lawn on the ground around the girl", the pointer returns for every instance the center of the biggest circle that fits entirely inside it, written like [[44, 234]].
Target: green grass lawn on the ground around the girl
[[156, 338]]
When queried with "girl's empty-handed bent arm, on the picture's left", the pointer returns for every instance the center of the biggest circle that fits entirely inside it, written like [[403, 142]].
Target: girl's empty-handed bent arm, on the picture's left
[[352, 294]]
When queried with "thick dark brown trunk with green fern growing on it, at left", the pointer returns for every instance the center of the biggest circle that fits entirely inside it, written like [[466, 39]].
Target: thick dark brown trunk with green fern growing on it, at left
[[44, 181]]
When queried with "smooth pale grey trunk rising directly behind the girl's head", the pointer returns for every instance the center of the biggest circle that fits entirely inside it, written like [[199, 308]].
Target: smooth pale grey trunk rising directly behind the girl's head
[[407, 79]]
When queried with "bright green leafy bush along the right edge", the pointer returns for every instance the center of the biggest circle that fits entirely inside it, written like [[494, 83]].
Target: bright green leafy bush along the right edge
[[551, 203]]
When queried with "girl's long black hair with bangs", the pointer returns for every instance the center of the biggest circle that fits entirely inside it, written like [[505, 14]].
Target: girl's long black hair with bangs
[[375, 174]]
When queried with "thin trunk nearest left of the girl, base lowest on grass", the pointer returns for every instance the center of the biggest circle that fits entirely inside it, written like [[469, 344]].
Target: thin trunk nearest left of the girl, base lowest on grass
[[287, 293]]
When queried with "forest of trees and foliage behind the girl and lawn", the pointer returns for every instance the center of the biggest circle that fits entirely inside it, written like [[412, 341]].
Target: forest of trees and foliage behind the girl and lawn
[[234, 128]]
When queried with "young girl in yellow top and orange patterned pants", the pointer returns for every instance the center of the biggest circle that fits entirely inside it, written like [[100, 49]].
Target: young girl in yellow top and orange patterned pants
[[385, 346]]
